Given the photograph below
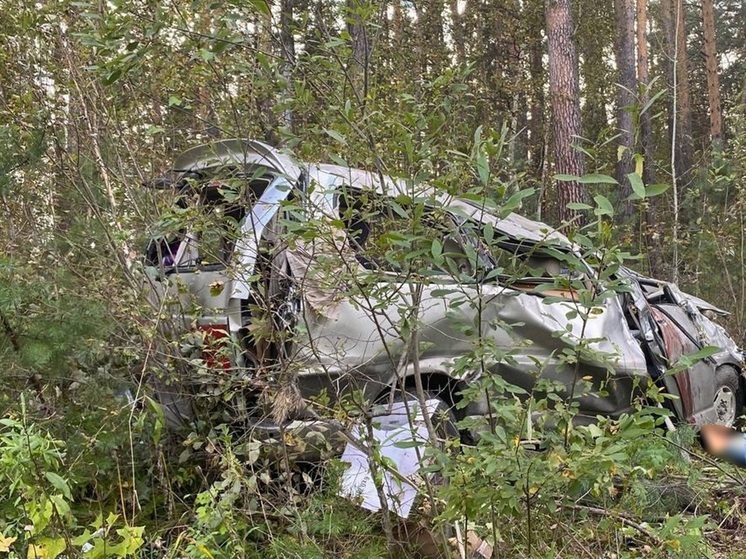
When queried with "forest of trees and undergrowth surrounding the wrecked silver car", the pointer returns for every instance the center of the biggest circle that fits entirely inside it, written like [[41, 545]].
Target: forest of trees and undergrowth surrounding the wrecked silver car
[[563, 101]]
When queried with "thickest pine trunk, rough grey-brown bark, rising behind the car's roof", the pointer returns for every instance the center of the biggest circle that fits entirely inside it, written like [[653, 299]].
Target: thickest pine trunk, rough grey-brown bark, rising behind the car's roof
[[564, 96]]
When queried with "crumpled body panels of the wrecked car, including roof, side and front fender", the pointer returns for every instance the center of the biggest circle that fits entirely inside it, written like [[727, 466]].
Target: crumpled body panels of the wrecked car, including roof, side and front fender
[[348, 325]]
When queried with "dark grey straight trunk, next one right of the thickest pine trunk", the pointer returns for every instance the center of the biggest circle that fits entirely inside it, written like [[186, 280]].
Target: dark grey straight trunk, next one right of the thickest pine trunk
[[625, 60]]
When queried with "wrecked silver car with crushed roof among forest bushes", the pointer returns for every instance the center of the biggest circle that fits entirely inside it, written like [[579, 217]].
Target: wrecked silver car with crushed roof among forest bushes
[[287, 283]]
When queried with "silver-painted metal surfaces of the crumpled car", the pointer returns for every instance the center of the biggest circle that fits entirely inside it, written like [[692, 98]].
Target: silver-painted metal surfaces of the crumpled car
[[350, 343]]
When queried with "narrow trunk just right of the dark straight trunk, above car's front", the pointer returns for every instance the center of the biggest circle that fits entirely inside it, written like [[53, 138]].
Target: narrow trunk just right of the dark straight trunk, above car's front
[[646, 140]]
